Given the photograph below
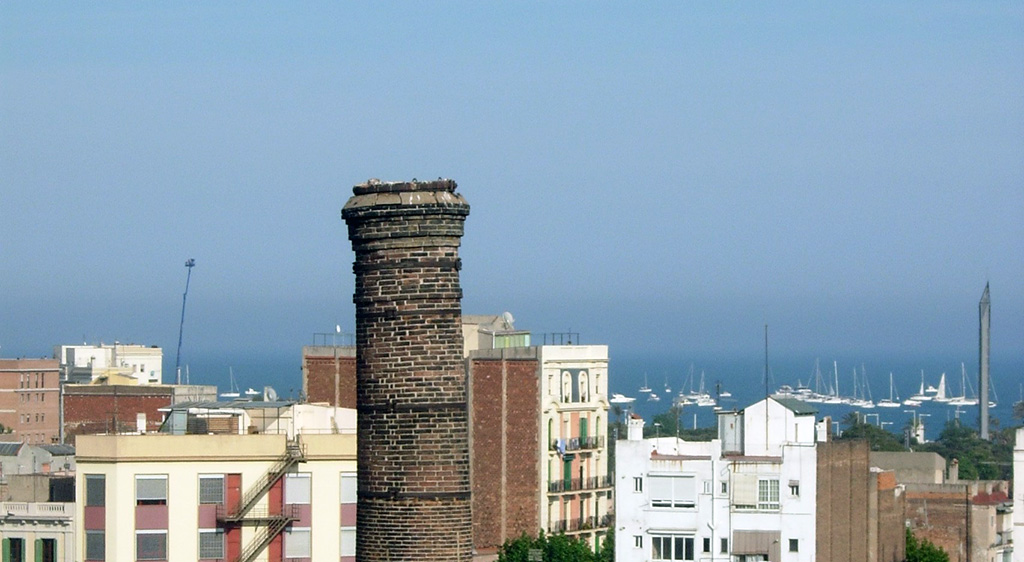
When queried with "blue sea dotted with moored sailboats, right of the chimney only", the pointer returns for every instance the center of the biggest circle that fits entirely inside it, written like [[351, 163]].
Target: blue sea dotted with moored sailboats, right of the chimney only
[[744, 378]]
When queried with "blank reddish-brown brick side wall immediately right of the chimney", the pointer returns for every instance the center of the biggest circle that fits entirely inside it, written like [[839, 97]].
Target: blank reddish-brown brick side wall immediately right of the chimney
[[505, 412]]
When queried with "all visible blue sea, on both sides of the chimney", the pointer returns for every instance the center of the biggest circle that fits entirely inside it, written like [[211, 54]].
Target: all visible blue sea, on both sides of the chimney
[[743, 377]]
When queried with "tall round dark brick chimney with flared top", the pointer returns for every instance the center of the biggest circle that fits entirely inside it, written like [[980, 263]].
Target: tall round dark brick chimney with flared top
[[414, 493]]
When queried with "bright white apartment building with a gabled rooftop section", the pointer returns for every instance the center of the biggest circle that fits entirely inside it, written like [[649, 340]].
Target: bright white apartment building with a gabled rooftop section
[[748, 496]]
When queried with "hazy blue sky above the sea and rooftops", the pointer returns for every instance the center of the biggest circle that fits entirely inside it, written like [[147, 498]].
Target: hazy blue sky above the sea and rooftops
[[661, 178]]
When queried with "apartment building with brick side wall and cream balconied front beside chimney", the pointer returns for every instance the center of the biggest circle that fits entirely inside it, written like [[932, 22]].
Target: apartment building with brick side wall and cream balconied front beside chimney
[[540, 454]]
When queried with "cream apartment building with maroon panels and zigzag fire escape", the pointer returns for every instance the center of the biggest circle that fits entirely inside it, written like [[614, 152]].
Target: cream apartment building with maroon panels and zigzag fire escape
[[229, 482]]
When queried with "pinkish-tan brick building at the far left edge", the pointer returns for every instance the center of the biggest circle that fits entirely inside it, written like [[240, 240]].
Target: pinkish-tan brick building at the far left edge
[[30, 401]]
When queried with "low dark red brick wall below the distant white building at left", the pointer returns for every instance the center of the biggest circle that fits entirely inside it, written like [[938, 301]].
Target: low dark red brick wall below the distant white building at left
[[93, 410]]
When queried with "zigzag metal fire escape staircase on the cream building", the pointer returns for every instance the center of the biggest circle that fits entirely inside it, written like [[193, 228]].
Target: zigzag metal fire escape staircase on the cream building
[[273, 524]]
